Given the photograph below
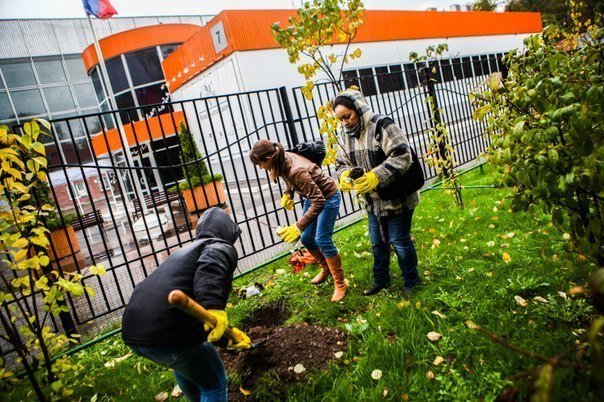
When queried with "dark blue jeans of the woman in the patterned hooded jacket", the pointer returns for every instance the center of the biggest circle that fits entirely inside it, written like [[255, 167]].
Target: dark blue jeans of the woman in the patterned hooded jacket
[[393, 230]]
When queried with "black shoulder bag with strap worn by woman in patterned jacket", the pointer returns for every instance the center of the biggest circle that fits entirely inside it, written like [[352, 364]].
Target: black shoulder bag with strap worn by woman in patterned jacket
[[411, 181]]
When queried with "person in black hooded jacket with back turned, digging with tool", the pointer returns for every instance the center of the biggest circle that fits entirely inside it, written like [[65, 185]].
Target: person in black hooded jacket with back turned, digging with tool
[[163, 333]]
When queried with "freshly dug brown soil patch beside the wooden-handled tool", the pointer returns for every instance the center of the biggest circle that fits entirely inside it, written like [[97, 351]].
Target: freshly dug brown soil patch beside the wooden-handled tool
[[283, 349]]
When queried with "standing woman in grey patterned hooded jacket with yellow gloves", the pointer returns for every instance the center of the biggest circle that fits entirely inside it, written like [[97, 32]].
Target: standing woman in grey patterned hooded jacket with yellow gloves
[[389, 221]]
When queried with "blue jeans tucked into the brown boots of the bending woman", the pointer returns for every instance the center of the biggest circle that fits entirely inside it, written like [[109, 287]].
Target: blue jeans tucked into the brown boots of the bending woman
[[318, 235]]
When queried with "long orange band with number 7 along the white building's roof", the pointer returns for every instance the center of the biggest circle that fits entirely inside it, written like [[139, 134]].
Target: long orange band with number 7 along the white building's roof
[[250, 30]]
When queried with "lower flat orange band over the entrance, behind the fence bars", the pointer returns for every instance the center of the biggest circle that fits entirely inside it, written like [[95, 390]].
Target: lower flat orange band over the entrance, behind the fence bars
[[166, 124]]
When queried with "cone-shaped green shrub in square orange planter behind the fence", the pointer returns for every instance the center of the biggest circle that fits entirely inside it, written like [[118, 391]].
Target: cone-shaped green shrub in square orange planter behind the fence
[[200, 189]]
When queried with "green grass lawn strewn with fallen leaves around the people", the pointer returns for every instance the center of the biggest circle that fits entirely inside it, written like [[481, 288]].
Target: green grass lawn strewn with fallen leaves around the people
[[465, 277]]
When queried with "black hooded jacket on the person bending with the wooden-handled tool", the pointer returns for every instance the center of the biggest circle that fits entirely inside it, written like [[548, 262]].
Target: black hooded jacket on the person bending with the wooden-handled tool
[[203, 270]]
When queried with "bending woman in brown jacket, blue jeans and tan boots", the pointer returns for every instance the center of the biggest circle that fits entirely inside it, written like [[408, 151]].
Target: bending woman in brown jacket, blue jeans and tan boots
[[319, 212]]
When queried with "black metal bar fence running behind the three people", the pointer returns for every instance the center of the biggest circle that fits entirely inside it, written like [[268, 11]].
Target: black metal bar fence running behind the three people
[[124, 174]]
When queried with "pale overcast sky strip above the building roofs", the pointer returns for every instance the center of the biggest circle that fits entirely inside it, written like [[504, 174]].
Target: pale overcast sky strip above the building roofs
[[127, 8]]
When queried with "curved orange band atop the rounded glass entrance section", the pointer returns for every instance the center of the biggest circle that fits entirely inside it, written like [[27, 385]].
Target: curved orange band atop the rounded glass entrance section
[[138, 38]]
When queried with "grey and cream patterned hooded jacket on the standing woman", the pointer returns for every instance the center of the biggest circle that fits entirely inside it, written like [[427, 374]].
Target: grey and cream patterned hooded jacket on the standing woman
[[363, 147]]
